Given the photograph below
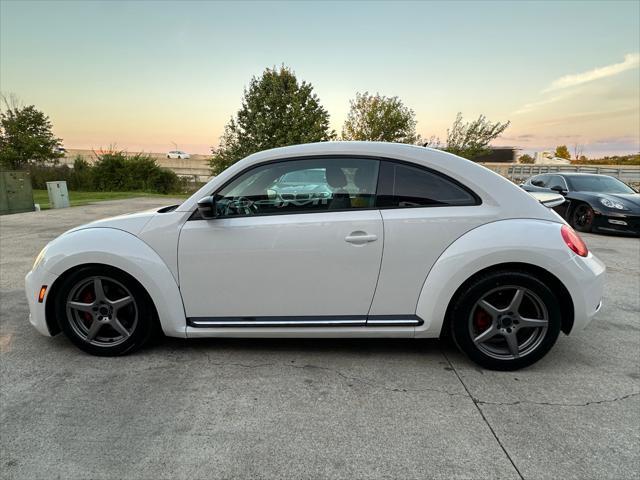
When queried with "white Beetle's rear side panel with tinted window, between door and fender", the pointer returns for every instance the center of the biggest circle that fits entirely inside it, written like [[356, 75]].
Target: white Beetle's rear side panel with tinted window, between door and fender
[[423, 213]]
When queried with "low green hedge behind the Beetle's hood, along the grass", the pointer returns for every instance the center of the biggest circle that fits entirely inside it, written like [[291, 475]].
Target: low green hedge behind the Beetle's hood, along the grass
[[112, 171]]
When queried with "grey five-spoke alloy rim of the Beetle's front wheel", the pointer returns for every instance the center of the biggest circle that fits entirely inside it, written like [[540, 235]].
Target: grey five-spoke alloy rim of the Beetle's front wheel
[[102, 311]]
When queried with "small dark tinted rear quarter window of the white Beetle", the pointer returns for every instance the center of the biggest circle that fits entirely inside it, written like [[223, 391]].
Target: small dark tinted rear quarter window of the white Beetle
[[407, 186]]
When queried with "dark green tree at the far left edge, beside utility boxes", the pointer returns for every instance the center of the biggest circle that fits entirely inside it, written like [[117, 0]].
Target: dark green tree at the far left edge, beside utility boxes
[[25, 136]]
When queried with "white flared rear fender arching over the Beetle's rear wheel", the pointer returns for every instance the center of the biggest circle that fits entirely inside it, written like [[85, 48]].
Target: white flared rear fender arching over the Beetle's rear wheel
[[535, 242]]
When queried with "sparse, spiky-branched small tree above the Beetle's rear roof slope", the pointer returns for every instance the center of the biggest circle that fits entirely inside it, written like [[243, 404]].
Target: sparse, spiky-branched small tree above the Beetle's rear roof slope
[[470, 139]]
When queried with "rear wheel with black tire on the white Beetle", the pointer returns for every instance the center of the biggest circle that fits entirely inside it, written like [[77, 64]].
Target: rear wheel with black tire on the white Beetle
[[466, 312]]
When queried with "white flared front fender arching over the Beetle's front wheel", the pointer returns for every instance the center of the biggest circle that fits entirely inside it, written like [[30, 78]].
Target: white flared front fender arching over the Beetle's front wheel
[[110, 246]]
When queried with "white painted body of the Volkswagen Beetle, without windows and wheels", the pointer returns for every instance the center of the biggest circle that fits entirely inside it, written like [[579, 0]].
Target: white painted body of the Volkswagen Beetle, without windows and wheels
[[294, 275]]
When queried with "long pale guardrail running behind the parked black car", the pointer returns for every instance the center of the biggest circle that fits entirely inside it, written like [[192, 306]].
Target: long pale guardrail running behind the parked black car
[[517, 172]]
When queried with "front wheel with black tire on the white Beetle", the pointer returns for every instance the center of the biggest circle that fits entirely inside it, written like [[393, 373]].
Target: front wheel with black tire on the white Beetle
[[137, 317]]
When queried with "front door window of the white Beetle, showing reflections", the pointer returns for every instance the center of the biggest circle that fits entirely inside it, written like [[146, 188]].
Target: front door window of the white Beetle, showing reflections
[[301, 186]]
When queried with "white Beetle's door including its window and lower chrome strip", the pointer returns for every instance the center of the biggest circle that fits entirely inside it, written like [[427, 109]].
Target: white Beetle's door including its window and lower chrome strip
[[275, 255]]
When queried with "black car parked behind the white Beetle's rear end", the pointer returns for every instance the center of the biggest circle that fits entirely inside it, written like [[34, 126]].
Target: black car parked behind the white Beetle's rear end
[[593, 202]]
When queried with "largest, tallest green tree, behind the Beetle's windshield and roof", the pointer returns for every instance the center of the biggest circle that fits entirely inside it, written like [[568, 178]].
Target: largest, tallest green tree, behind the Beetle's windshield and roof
[[276, 111]]
